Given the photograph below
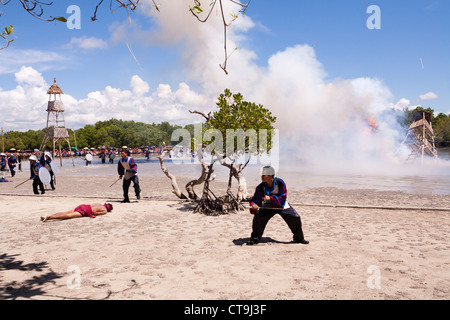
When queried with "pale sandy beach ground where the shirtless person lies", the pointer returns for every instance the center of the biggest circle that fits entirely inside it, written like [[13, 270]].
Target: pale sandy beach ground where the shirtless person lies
[[364, 244]]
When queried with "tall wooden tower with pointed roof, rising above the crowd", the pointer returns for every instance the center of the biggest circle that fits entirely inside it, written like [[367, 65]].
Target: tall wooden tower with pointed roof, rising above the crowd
[[56, 126]]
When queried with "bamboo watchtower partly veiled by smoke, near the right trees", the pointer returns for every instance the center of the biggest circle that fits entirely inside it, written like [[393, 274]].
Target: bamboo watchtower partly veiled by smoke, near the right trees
[[419, 135]]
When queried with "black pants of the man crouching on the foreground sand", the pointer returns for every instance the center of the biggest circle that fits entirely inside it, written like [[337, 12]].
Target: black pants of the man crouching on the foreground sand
[[290, 216]]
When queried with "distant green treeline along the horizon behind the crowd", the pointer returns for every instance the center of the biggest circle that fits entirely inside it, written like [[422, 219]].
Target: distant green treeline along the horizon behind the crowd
[[117, 133]]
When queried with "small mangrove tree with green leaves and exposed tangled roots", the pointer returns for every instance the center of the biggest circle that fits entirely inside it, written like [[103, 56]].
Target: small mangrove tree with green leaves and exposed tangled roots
[[238, 115]]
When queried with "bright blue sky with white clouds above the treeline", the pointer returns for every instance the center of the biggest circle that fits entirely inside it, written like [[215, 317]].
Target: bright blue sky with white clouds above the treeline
[[95, 67]]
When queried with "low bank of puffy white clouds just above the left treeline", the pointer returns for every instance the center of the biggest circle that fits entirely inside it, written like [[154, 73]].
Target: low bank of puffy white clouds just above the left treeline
[[25, 106]]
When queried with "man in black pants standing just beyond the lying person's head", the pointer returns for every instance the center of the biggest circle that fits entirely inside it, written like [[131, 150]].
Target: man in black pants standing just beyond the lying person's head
[[127, 167]]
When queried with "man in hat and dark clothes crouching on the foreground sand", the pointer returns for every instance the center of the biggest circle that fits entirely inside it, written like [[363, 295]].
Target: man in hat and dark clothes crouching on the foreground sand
[[270, 198]]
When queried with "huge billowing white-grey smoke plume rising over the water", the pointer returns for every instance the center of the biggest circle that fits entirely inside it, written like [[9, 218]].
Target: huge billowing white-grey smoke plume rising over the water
[[324, 124]]
